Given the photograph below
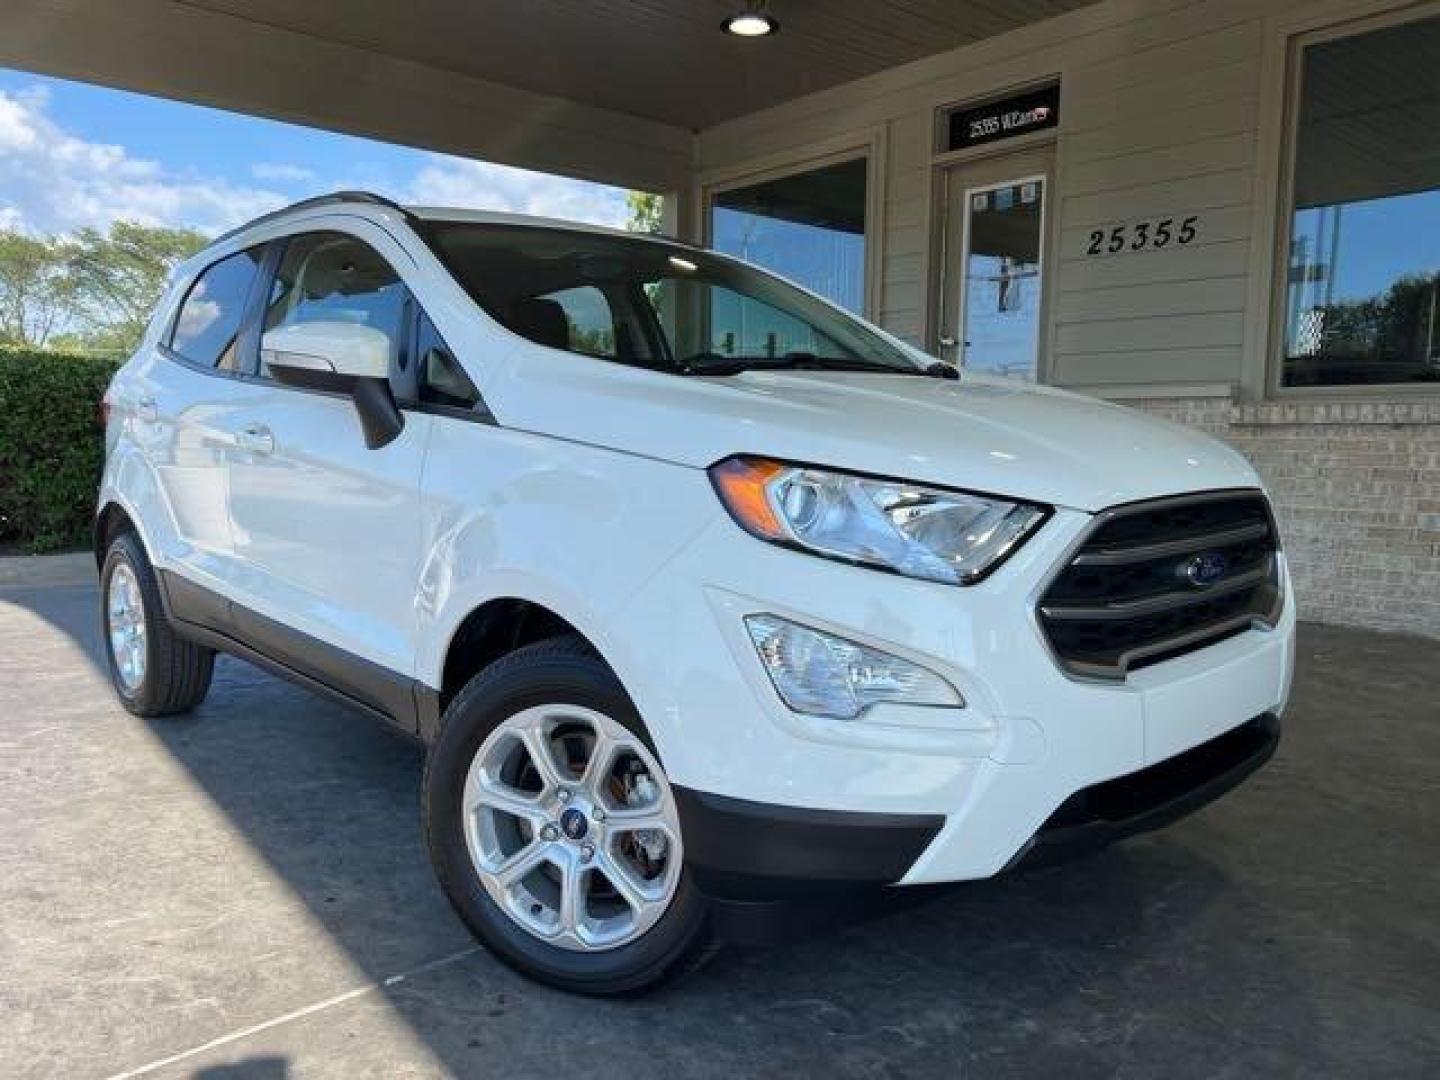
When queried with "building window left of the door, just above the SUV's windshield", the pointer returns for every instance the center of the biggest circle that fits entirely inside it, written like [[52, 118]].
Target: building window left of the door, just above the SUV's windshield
[[806, 227]]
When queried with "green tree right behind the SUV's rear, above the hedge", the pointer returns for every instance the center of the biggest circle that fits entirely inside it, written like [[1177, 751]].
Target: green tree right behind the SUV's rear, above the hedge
[[117, 279]]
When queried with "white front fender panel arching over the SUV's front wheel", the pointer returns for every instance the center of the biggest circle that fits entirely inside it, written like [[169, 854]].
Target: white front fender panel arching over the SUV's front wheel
[[575, 529]]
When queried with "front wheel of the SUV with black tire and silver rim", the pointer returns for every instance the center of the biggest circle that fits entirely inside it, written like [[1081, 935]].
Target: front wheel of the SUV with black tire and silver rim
[[554, 830]]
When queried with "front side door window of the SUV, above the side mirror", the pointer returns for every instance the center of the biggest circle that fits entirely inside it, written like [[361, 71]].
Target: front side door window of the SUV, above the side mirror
[[329, 277]]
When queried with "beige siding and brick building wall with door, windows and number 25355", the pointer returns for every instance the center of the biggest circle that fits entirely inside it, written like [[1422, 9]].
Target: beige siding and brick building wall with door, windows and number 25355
[[1226, 214]]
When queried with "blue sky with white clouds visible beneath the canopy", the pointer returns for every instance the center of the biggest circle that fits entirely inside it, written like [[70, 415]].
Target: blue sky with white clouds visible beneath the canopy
[[76, 156]]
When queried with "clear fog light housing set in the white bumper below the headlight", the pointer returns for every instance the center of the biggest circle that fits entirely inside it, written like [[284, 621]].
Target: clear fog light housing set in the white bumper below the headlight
[[823, 675]]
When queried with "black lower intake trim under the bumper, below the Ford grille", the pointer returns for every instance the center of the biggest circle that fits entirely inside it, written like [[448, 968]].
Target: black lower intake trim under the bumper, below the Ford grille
[[1154, 797]]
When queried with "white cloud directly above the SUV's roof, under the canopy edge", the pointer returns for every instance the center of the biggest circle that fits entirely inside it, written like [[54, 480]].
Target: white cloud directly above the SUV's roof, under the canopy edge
[[485, 186]]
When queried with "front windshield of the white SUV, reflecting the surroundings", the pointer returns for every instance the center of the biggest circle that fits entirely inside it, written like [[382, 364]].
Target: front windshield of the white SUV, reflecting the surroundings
[[654, 305]]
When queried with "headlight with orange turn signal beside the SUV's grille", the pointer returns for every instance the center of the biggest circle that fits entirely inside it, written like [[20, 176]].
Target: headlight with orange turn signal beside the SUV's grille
[[941, 536]]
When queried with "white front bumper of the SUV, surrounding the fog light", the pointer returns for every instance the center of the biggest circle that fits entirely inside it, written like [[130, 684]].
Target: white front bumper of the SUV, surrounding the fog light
[[993, 774]]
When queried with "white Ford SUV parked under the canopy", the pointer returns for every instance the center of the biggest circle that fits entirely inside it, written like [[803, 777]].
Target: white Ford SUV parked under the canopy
[[698, 588]]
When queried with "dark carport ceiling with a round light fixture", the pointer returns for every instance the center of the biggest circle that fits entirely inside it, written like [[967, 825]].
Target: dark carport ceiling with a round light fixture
[[663, 60]]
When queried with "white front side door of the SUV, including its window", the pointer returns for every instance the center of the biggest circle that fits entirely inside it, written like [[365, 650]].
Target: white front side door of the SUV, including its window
[[328, 531]]
